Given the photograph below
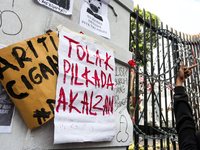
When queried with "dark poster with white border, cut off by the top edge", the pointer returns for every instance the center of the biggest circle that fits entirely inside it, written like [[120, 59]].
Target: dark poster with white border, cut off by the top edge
[[61, 6]]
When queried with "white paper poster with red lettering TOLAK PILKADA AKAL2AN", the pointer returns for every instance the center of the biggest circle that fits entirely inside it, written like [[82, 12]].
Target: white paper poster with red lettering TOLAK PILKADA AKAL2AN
[[85, 91]]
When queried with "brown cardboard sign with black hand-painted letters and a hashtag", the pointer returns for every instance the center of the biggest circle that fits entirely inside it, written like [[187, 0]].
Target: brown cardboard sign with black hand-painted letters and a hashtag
[[28, 72]]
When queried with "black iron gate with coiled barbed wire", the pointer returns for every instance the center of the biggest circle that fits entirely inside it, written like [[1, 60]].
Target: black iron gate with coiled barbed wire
[[158, 56]]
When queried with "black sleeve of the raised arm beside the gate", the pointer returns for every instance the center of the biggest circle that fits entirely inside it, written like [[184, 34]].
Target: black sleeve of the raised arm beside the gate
[[184, 122]]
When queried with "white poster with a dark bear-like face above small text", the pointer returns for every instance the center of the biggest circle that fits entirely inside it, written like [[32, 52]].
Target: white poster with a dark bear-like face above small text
[[93, 16]]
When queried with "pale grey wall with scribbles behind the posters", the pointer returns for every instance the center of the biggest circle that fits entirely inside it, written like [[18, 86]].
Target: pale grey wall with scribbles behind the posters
[[36, 20]]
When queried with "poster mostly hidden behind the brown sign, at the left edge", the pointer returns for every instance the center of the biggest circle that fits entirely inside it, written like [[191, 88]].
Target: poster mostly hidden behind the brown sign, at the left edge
[[7, 109]]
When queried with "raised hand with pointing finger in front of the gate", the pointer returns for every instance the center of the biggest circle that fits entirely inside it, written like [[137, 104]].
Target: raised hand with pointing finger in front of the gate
[[184, 72]]
